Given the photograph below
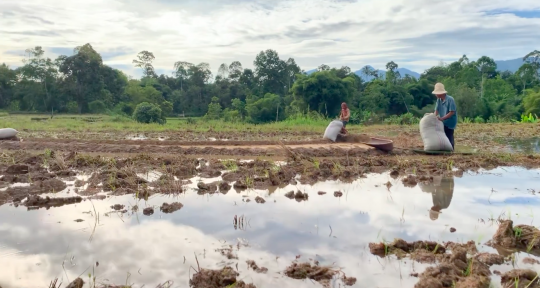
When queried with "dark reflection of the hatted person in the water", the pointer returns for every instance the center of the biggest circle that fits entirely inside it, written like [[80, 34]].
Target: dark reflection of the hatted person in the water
[[441, 190]]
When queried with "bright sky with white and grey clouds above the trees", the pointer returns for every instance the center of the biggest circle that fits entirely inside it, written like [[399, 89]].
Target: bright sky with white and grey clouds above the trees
[[416, 34]]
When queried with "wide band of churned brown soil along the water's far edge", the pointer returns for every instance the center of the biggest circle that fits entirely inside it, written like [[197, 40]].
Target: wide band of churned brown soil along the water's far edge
[[47, 172]]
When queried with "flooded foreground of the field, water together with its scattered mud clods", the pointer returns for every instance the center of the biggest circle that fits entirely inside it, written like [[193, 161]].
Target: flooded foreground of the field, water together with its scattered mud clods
[[265, 234]]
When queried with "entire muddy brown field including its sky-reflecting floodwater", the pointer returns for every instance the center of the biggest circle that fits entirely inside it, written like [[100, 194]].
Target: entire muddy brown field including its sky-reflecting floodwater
[[171, 212]]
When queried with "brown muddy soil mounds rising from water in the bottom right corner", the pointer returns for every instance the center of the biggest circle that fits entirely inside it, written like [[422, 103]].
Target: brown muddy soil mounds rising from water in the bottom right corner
[[460, 264]]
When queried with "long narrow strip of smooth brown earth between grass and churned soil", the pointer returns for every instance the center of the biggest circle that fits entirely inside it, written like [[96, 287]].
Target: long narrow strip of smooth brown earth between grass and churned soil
[[256, 148]]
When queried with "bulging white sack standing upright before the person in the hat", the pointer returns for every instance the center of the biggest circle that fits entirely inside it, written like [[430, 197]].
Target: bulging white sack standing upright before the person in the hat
[[432, 131]]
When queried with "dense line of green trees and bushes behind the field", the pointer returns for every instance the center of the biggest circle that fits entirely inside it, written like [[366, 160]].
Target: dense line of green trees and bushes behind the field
[[274, 90]]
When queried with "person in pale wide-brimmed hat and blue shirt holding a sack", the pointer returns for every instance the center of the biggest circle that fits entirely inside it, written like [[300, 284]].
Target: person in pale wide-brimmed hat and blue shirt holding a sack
[[445, 110]]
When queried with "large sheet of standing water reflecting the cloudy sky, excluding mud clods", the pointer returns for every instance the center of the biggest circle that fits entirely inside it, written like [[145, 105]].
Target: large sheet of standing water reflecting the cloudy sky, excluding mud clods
[[150, 250]]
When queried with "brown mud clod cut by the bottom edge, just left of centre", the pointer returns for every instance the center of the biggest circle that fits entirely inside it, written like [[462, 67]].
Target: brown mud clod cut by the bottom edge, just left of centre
[[225, 277]]
